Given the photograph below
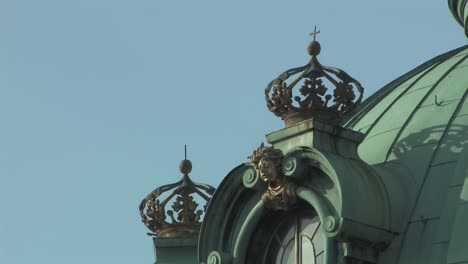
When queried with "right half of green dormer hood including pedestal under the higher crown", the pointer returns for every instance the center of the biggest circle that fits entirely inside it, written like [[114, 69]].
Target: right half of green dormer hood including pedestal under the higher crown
[[352, 188]]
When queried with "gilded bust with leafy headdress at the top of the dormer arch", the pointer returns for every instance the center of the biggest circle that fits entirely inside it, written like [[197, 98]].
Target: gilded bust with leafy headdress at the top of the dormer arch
[[280, 193]]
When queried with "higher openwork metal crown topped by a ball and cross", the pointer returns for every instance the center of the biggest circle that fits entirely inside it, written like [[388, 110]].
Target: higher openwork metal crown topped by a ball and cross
[[325, 93]]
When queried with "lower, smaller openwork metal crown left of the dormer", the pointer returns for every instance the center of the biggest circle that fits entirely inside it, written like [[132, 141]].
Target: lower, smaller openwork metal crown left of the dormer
[[183, 219]]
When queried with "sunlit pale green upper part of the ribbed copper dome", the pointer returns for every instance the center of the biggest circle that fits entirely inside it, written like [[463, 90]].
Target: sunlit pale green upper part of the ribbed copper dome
[[421, 112]]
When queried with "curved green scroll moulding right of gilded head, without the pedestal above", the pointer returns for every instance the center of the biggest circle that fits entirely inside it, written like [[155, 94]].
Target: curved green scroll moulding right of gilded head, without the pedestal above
[[358, 206]]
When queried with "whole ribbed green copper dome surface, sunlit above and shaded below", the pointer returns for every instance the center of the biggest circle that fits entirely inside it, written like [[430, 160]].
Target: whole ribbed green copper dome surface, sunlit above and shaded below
[[420, 121]]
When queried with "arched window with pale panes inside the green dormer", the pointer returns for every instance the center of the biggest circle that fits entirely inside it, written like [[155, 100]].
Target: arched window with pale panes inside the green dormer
[[288, 237]]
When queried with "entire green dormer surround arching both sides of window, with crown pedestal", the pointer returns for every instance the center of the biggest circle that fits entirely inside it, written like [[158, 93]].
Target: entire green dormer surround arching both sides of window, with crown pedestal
[[348, 195]]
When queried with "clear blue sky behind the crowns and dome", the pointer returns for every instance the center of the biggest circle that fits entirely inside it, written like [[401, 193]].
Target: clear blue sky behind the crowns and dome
[[98, 98]]
